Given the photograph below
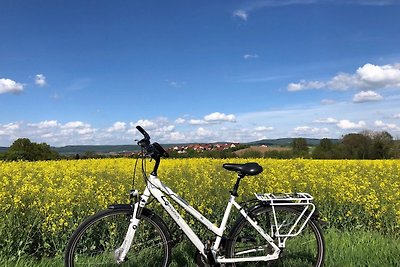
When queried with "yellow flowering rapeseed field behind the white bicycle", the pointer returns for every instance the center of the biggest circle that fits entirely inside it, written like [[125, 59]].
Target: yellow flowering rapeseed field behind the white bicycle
[[41, 203]]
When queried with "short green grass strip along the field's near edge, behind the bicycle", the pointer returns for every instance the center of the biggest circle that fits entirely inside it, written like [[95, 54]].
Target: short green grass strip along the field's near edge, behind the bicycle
[[343, 249]]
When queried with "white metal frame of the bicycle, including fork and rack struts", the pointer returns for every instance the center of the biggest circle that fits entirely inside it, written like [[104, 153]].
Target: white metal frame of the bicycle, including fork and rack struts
[[156, 188]]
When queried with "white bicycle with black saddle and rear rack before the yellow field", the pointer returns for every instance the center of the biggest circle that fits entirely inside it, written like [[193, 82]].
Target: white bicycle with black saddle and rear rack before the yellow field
[[277, 230]]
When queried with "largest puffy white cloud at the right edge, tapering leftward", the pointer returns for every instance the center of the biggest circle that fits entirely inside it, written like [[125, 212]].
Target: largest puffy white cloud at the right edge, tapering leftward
[[367, 77]]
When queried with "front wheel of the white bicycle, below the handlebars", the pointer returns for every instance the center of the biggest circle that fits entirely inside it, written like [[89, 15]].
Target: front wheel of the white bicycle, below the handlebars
[[95, 241]]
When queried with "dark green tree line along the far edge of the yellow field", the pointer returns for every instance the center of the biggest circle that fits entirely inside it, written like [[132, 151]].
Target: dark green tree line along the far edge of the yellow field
[[364, 145]]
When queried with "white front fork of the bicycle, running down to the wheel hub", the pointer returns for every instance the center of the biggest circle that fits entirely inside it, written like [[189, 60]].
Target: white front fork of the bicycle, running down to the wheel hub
[[121, 252]]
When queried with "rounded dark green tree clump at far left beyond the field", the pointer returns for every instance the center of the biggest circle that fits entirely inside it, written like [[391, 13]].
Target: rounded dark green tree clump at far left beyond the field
[[24, 149]]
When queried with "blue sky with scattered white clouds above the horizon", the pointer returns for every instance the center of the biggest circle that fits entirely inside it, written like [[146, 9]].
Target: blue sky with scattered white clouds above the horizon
[[88, 72]]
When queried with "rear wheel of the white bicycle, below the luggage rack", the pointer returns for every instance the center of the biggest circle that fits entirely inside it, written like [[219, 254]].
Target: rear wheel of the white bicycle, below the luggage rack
[[306, 249]]
